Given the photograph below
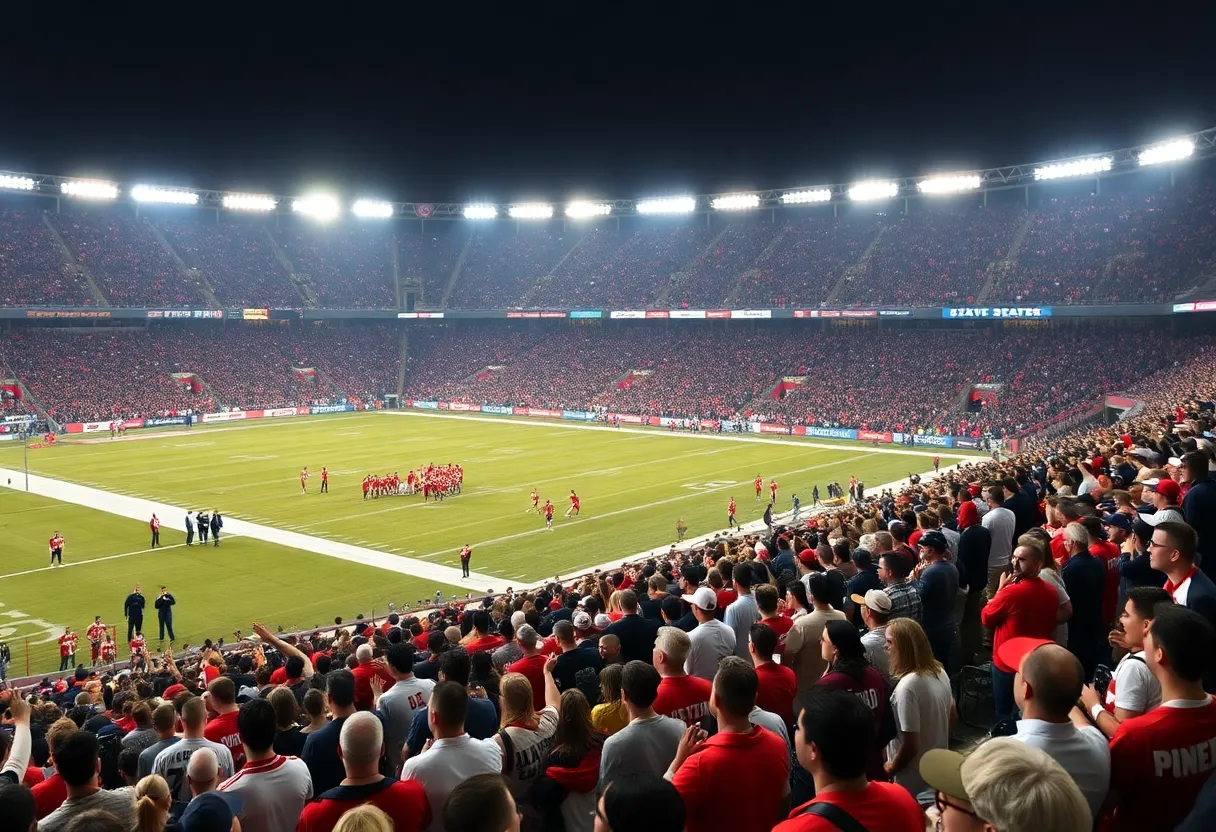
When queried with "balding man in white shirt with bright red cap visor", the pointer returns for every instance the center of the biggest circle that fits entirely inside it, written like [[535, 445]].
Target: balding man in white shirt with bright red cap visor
[[1046, 689]]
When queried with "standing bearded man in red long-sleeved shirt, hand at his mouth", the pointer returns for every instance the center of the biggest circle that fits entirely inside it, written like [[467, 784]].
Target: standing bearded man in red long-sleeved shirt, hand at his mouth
[[1024, 605]]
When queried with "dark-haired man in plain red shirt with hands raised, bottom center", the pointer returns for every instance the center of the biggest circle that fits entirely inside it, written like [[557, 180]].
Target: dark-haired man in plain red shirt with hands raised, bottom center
[[740, 760]]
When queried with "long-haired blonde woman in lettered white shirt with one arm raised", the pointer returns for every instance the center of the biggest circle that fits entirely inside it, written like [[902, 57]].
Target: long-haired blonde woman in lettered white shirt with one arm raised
[[527, 737]]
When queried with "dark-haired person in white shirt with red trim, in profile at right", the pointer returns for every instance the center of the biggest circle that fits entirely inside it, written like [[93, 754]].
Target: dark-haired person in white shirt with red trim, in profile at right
[[1134, 690]]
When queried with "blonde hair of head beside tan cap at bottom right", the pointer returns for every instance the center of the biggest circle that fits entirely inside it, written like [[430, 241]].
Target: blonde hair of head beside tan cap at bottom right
[[1015, 786]]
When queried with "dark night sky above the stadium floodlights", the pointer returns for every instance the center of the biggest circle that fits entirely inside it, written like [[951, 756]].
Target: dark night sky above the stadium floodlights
[[605, 100]]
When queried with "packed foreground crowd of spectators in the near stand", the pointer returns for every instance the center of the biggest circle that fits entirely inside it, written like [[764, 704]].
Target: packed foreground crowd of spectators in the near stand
[[1061, 600]]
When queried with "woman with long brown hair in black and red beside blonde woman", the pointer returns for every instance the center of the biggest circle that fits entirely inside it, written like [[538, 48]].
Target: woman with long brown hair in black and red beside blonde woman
[[567, 792]]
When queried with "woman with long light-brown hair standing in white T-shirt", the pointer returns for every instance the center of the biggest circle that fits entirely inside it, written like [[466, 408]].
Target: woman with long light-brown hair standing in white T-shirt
[[924, 704]]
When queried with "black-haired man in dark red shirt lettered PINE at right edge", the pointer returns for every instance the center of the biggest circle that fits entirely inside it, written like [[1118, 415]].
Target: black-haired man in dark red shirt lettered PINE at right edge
[[1162, 760]]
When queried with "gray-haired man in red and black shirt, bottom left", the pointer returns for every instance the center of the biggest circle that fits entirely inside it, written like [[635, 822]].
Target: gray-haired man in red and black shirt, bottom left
[[404, 802]]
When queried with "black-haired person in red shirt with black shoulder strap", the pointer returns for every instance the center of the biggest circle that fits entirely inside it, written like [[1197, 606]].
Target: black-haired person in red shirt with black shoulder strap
[[837, 730]]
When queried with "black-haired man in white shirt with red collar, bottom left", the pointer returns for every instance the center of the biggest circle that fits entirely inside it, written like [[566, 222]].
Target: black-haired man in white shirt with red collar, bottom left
[[274, 789]]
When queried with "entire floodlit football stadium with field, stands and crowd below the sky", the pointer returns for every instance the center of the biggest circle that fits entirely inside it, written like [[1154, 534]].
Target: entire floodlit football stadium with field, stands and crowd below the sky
[[881, 503]]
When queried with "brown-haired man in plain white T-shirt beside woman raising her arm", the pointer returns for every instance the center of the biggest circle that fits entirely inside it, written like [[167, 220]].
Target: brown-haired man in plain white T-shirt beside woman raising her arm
[[452, 757]]
